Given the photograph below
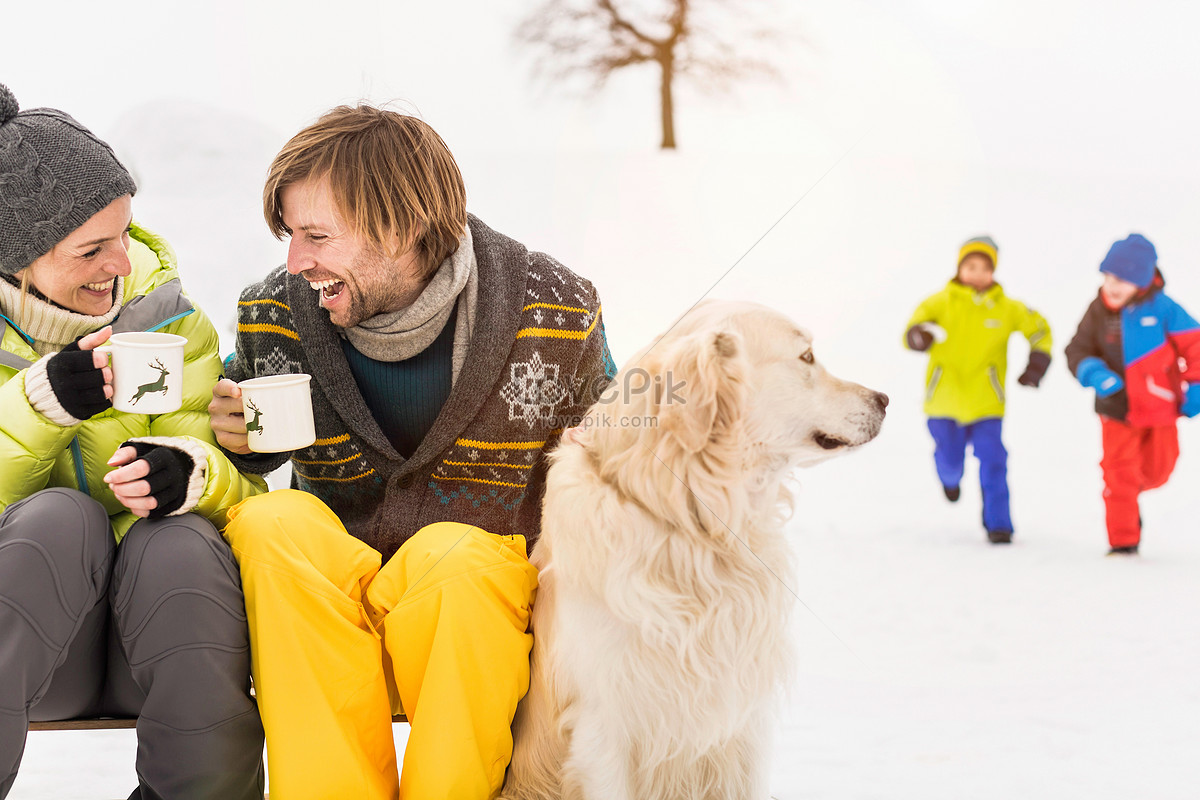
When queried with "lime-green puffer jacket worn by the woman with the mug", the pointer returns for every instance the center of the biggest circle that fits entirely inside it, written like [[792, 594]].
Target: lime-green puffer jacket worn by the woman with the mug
[[38, 454]]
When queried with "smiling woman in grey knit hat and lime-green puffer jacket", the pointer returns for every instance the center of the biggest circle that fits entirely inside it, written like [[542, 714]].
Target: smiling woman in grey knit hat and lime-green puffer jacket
[[117, 594]]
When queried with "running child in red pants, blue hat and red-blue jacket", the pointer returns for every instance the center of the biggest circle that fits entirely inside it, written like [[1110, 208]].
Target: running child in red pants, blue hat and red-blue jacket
[[1141, 352]]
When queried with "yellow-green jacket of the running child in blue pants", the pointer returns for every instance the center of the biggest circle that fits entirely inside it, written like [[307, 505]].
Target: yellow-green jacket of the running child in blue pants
[[965, 378]]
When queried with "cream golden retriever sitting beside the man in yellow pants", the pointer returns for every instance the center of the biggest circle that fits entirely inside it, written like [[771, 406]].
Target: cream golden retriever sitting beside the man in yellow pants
[[662, 619]]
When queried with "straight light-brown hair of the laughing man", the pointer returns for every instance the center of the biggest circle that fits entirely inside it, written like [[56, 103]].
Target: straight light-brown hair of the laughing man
[[388, 173]]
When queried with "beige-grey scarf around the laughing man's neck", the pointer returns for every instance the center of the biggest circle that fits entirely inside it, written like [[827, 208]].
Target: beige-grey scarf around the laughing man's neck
[[400, 335]]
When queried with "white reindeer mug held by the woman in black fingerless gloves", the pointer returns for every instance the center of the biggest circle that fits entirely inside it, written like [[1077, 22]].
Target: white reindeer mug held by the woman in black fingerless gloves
[[148, 371]]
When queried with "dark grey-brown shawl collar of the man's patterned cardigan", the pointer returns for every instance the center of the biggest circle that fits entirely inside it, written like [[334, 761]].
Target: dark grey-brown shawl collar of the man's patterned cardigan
[[503, 270]]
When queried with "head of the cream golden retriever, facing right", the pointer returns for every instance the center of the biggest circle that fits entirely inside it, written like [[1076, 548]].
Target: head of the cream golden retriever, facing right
[[735, 384]]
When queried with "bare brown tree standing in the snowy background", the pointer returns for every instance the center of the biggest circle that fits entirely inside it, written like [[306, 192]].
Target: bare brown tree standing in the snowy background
[[686, 39]]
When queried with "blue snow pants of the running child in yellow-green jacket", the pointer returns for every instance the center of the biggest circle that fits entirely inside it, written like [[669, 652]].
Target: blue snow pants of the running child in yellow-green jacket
[[951, 441]]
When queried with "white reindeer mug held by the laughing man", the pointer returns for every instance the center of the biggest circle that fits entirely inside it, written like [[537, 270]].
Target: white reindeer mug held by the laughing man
[[279, 413]]
